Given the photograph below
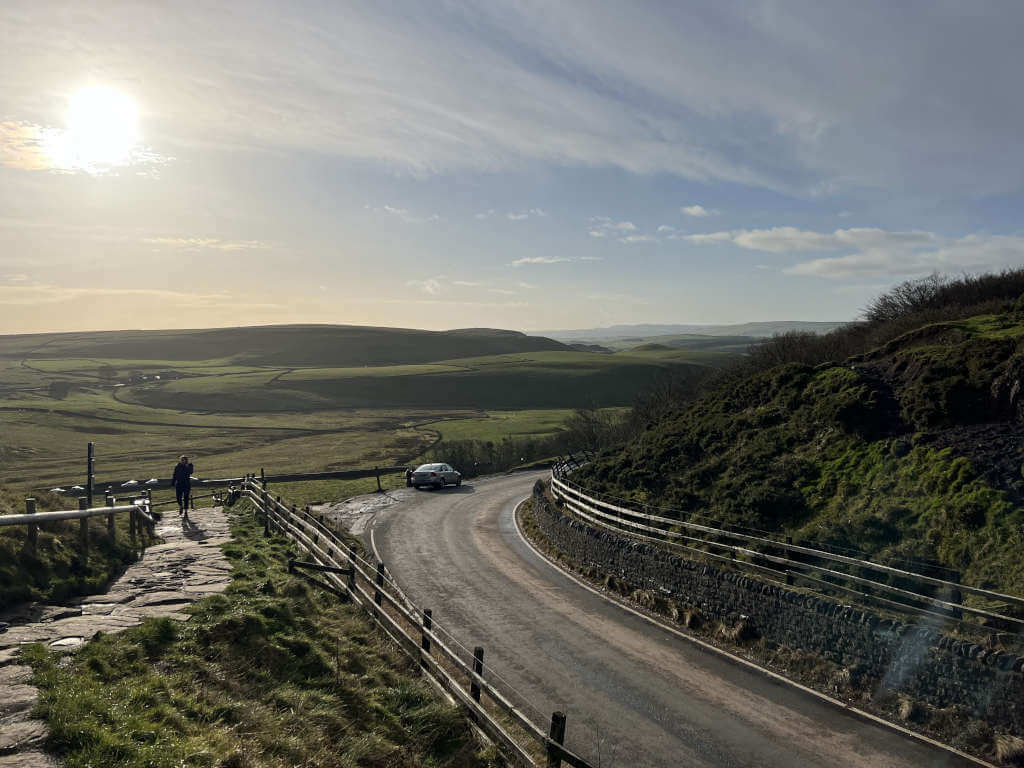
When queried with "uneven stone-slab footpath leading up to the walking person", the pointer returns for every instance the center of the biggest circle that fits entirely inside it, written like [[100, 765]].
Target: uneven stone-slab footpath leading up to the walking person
[[188, 567]]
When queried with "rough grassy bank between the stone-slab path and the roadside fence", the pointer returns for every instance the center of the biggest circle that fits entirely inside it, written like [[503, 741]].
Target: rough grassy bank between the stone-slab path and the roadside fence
[[273, 673]]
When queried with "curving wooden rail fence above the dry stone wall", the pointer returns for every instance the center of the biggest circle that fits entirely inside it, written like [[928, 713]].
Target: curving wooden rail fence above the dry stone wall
[[783, 561]]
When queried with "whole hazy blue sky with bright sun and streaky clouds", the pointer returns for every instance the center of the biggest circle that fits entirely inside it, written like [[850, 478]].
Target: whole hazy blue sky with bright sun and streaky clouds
[[528, 165]]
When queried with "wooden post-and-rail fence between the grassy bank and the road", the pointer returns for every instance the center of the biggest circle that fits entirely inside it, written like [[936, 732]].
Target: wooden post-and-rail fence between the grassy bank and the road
[[340, 570]]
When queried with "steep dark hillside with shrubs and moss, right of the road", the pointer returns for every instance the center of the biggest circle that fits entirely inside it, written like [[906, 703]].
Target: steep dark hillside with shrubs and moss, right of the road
[[913, 449]]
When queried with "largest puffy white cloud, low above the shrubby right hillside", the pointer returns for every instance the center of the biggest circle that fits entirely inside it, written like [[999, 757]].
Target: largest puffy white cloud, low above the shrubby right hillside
[[875, 253]]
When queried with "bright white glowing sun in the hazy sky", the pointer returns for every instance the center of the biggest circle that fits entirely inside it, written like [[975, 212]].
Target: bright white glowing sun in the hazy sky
[[102, 131]]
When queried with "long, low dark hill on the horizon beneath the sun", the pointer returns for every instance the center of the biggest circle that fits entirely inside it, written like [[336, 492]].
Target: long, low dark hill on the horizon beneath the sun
[[283, 346]]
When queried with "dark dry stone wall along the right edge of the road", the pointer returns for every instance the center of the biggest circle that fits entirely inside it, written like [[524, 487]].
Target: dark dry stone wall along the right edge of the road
[[917, 661]]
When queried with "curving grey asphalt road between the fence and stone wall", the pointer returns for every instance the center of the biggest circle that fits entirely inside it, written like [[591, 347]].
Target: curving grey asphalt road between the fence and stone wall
[[635, 695]]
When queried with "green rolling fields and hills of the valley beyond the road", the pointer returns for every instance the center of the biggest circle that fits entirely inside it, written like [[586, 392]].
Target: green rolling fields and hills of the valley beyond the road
[[291, 399]]
